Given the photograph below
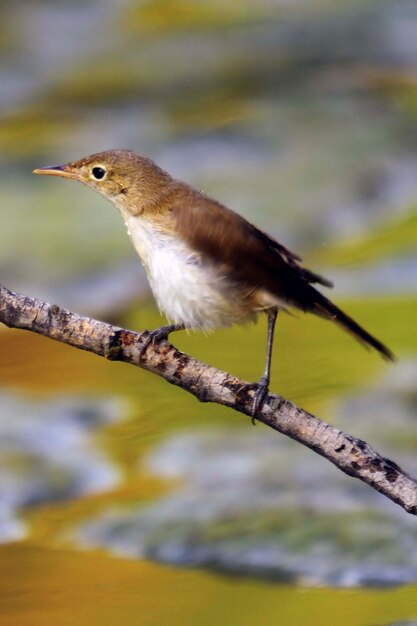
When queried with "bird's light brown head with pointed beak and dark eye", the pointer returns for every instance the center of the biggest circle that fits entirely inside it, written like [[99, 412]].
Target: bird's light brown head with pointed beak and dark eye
[[131, 181]]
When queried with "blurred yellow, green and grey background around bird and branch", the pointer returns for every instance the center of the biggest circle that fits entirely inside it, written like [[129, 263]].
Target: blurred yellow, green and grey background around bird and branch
[[123, 500]]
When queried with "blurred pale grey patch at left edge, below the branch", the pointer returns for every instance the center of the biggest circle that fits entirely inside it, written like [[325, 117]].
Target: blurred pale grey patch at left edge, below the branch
[[47, 453]]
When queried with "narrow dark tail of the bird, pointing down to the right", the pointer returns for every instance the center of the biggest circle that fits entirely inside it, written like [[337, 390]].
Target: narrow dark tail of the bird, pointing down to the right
[[325, 308]]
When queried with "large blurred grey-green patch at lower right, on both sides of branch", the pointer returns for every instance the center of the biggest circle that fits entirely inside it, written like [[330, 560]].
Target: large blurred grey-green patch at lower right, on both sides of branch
[[261, 506]]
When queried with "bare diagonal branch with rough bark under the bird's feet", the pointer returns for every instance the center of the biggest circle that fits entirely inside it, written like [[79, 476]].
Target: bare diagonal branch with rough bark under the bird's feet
[[208, 384]]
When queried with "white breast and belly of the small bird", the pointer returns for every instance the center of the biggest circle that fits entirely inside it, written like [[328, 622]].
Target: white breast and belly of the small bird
[[188, 290]]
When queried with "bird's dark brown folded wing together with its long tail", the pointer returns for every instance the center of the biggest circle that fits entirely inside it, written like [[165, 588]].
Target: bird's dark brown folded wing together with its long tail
[[257, 260]]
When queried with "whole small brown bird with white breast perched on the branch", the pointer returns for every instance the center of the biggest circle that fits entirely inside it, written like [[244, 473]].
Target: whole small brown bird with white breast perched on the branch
[[208, 267]]
